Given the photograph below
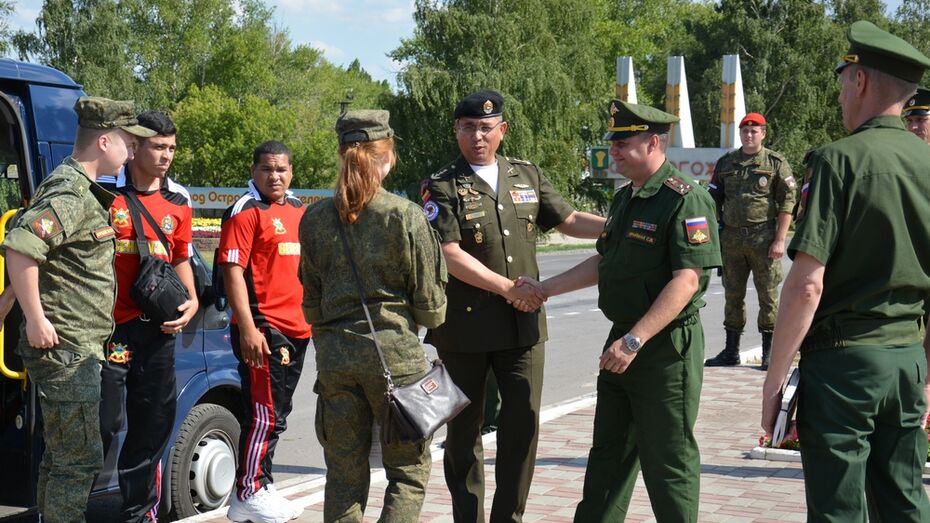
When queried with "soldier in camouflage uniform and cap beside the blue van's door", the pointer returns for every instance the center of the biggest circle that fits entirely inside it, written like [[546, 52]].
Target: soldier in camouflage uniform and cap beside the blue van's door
[[63, 245]]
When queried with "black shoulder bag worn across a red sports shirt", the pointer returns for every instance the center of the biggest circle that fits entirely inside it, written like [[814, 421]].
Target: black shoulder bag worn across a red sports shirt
[[157, 290]]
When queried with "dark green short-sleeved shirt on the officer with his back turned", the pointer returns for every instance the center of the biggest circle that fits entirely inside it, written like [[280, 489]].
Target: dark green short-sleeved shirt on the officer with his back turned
[[864, 215]]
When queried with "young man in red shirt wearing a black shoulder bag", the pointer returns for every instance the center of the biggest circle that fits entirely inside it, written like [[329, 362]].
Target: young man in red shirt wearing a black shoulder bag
[[140, 355]]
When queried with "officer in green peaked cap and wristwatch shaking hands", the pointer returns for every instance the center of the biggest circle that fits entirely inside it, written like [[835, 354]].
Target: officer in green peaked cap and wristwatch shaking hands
[[651, 270]]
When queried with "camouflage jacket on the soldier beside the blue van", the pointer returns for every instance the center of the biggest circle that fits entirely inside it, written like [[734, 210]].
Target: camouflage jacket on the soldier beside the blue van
[[67, 231]]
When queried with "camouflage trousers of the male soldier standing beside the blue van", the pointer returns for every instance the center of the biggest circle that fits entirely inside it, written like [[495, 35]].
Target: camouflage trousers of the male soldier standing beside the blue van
[[69, 395]]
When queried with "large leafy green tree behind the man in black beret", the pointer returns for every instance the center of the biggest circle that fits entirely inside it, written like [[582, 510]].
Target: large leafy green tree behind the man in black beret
[[537, 53]]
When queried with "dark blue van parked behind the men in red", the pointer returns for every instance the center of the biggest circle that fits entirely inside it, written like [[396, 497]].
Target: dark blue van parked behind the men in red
[[37, 127]]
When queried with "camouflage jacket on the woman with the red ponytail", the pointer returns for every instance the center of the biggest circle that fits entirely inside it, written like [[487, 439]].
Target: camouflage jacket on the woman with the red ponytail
[[403, 273]]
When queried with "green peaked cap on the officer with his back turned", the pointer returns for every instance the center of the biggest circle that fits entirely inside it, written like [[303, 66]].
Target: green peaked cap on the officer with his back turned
[[878, 49]]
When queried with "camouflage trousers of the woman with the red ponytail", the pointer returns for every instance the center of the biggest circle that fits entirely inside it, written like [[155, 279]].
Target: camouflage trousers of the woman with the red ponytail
[[347, 406]]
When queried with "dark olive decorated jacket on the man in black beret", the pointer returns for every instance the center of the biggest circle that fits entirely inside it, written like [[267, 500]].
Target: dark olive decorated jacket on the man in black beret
[[499, 230]]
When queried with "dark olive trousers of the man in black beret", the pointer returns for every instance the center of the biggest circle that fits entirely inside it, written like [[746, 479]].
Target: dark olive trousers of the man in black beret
[[519, 374]]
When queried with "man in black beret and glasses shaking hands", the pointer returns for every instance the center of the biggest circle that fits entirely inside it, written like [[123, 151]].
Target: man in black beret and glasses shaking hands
[[488, 210]]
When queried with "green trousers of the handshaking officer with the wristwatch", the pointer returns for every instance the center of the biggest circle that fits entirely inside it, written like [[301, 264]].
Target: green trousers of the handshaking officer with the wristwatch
[[645, 418]]
